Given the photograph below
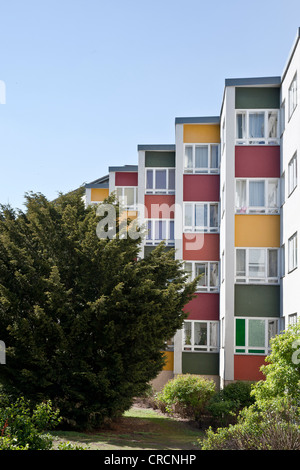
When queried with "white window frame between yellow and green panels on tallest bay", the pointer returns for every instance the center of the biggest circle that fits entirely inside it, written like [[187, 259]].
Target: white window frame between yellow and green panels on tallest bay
[[247, 279]]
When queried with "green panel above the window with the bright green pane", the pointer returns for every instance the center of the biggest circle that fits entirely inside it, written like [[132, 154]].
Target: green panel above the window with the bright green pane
[[256, 301]]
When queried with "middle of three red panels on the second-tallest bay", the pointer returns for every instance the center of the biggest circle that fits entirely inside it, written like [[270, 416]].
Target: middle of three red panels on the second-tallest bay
[[201, 246]]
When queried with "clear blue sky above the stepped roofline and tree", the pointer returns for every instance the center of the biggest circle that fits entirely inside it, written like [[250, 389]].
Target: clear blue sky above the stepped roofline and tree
[[89, 80]]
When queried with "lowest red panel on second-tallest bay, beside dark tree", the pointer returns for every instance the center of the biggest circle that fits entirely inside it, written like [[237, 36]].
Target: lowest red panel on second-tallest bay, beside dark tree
[[204, 306]]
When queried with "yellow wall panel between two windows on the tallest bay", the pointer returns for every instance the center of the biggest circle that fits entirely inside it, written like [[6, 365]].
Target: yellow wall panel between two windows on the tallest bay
[[257, 230]]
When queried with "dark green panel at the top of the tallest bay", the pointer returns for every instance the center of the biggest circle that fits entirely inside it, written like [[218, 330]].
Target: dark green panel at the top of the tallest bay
[[255, 98]]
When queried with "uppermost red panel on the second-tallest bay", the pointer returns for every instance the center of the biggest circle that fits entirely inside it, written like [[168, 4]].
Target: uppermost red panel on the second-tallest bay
[[201, 188]]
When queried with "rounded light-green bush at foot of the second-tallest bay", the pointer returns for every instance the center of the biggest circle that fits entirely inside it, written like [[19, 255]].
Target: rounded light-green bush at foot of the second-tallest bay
[[187, 395]]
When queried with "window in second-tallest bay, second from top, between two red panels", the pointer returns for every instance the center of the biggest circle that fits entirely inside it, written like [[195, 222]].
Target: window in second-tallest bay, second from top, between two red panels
[[201, 217]]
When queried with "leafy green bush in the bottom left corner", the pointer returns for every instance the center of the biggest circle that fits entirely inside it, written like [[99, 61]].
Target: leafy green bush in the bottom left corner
[[24, 429]]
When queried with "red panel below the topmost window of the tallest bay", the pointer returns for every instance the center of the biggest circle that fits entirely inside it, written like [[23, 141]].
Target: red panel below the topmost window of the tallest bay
[[257, 161]]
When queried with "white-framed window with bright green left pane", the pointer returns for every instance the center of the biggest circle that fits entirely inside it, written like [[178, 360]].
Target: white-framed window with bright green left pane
[[253, 335]]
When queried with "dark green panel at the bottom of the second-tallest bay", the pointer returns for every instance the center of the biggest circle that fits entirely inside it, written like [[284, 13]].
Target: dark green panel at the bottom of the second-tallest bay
[[200, 363]]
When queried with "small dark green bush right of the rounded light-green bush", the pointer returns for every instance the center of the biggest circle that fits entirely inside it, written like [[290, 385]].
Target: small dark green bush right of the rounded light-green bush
[[225, 405]]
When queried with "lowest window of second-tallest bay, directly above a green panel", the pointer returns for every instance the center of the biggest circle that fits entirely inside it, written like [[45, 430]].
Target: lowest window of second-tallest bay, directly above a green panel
[[200, 336]]
